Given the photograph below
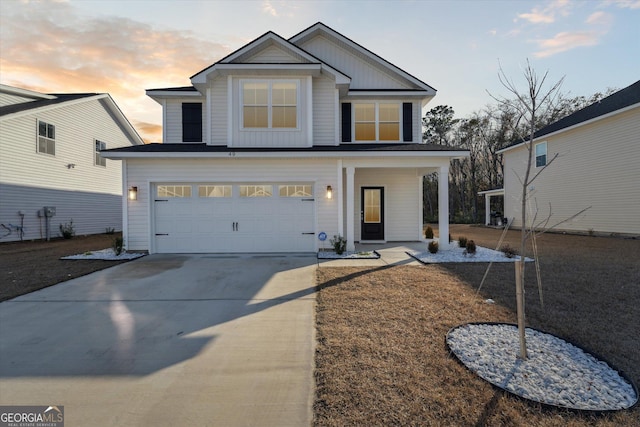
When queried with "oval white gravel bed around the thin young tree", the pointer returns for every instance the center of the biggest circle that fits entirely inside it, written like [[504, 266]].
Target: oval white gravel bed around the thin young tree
[[555, 372]]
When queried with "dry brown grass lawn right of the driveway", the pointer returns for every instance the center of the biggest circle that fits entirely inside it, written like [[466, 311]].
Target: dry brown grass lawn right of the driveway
[[381, 357]]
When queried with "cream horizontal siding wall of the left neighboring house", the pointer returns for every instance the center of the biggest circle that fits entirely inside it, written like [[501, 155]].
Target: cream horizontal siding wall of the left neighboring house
[[31, 180]]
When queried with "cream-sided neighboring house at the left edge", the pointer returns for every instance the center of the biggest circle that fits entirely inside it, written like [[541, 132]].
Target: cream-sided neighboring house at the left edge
[[50, 156]]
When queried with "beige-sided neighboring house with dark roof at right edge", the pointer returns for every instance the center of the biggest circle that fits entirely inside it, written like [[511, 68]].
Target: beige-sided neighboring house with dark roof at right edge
[[598, 152]]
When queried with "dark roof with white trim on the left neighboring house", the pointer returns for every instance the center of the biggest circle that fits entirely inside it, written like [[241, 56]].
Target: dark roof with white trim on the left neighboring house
[[51, 101]]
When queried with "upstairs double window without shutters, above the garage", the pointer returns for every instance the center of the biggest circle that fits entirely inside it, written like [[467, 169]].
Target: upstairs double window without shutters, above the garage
[[269, 104]]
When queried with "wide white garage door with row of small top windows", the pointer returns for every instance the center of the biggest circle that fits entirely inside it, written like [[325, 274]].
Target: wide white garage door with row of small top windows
[[231, 218]]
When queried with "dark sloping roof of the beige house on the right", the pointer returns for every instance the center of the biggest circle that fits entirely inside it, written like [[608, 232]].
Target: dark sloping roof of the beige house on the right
[[628, 97]]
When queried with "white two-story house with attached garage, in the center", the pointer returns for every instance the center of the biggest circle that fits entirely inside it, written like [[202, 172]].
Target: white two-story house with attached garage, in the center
[[280, 142]]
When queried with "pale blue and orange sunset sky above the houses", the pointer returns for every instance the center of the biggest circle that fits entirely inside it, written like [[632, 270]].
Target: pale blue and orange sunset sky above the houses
[[124, 47]]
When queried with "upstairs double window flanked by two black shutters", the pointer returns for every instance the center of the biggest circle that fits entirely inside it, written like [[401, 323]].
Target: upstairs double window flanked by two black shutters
[[377, 121]]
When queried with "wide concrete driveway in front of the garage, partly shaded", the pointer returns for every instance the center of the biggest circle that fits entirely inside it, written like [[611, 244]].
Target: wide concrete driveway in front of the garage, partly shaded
[[196, 340]]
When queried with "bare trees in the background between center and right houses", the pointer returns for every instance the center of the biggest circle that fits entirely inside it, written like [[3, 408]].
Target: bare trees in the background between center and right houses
[[483, 133]]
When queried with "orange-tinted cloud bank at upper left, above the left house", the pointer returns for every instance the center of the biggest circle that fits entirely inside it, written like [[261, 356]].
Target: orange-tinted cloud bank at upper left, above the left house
[[48, 47]]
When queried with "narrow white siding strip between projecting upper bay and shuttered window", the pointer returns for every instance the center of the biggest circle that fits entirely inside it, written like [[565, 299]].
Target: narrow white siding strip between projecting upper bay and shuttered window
[[324, 111]]
